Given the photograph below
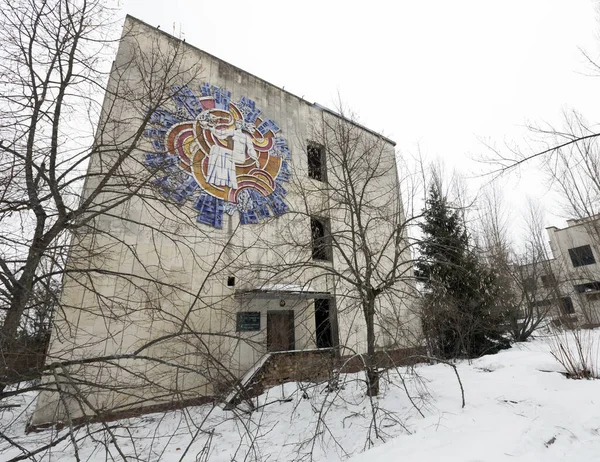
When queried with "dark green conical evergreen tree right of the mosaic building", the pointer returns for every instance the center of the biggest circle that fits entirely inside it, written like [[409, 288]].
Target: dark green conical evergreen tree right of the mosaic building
[[461, 316]]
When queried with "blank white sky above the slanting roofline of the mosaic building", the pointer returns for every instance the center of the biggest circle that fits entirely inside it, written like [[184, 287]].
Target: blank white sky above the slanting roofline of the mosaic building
[[437, 74]]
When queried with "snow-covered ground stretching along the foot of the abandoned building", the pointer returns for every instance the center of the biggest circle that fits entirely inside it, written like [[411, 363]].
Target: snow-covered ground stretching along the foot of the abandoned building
[[518, 407]]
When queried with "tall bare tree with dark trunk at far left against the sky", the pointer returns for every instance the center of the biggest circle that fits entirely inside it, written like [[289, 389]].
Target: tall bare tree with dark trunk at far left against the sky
[[51, 76]]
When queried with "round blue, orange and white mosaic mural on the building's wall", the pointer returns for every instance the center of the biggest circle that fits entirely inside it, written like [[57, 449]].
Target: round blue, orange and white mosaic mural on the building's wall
[[223, 155]]
